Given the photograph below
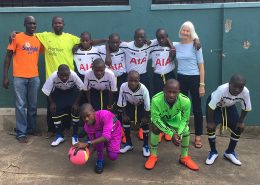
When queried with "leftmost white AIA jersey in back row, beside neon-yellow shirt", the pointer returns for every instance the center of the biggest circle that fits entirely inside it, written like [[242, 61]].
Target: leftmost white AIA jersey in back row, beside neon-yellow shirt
[[84, 59]]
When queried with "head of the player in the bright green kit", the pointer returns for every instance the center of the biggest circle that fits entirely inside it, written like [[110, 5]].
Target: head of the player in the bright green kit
[[171, 91]]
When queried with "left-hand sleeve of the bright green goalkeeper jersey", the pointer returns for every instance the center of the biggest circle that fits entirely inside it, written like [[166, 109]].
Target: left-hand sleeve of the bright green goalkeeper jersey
[[157, 121]]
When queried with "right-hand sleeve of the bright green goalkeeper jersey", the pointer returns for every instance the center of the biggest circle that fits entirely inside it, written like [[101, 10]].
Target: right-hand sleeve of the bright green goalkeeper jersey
[[185, 116]]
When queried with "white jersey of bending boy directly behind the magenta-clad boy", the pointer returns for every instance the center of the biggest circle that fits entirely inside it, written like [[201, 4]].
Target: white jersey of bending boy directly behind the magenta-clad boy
[[107, 82]]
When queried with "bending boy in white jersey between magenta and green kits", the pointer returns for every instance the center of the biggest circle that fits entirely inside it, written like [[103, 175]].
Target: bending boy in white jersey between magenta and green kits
[[134, 100]]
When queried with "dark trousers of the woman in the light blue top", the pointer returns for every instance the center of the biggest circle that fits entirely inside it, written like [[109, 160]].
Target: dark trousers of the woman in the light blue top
[[190, 85]]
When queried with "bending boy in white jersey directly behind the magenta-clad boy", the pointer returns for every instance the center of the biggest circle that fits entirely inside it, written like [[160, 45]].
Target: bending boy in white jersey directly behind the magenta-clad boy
[[100, 84]]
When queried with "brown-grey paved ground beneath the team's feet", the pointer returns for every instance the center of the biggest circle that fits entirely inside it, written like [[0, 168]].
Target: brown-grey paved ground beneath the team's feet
[[38, 163]]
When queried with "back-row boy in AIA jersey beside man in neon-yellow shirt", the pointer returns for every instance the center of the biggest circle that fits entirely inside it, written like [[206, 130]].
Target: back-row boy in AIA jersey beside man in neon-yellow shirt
[[84, 55]]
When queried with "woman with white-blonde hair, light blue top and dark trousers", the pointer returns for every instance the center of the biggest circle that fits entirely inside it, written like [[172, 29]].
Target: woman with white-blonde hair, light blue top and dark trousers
[[190, 74]]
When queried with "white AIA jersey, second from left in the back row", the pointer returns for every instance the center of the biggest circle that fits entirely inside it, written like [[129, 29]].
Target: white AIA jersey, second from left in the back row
[[118, 60]]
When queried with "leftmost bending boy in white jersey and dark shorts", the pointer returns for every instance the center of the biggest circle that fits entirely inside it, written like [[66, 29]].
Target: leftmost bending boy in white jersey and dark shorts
[[62, 89]]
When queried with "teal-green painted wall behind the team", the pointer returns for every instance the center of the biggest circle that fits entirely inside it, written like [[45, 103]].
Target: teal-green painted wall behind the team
[[209, 22]]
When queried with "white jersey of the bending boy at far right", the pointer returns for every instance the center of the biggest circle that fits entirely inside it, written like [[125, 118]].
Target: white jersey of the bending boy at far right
[[222, 98]]
